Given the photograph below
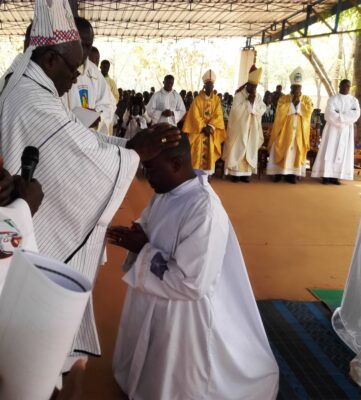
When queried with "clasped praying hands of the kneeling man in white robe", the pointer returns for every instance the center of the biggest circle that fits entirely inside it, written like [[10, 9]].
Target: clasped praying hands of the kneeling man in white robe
[[133, 239]]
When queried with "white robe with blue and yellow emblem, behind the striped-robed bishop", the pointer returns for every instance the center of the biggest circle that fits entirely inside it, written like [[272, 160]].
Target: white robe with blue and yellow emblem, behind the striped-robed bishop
[[92, 91]]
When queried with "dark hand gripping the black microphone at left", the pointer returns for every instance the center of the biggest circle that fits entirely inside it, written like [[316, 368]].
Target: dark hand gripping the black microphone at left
[[31, 192]]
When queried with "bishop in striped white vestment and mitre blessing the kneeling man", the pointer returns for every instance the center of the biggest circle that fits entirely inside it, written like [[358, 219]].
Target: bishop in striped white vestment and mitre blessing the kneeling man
[[84, 176]]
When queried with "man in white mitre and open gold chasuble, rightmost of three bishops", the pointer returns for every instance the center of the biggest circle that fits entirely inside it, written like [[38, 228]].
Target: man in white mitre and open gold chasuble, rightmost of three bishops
[[290, 136]]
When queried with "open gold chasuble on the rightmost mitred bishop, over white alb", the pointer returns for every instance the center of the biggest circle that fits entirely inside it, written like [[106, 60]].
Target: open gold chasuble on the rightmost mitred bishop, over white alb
[[290, 127]]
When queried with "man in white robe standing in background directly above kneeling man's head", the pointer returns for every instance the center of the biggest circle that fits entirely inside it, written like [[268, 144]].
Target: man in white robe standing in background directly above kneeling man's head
[[166, 105]]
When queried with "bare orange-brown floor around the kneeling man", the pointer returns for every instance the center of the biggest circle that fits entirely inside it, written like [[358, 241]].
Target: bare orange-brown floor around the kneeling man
[[292, 237]]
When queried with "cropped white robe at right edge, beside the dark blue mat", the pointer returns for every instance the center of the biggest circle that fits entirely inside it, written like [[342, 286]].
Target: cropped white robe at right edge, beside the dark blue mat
[[346, 320]]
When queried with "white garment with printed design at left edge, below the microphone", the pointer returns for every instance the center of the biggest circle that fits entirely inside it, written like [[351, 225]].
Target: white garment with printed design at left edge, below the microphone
[[16, 232]]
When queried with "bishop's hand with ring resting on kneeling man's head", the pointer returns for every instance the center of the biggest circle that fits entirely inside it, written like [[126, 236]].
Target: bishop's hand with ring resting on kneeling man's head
[[148, 143]]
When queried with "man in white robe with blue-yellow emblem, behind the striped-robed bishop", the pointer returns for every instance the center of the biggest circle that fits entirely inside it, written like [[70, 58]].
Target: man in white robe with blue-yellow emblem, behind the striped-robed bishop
[[91, 89]]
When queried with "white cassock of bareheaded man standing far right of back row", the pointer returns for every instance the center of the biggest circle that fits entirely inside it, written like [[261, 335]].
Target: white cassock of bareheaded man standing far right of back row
[[335, 158]]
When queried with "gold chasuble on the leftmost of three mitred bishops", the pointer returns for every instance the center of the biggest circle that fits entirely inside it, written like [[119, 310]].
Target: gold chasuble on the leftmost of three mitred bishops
[[205, 150]]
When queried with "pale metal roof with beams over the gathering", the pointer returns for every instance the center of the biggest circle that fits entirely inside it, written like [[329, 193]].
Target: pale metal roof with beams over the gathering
[[174, 18]]
